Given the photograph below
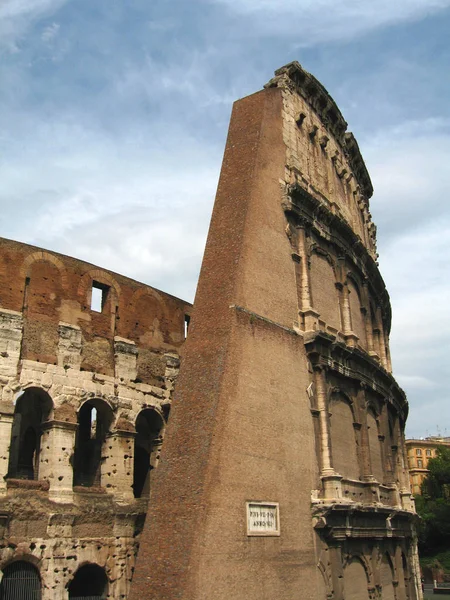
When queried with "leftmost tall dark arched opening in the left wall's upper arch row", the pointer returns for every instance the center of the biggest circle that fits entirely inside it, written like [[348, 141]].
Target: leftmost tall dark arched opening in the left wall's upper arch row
[[33, 408]]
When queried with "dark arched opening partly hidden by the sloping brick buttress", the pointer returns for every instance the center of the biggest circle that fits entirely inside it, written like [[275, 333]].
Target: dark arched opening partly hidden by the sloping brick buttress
[[148, 440]]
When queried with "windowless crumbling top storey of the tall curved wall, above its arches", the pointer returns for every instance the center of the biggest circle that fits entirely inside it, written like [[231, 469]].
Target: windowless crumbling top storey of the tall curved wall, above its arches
[[322, 157]]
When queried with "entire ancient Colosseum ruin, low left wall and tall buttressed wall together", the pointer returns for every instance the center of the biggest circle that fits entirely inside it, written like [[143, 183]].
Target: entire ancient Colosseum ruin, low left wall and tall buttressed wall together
[[283, 471]]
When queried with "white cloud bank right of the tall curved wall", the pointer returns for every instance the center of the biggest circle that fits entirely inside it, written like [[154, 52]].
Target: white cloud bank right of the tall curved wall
[[409, 168]]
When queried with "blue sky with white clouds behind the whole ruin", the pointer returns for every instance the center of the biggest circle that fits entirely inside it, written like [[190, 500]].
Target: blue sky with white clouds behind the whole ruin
[[114, 115]]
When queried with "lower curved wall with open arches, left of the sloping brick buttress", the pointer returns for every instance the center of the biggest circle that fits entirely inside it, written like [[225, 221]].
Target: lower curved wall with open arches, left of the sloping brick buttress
[[85, 393]]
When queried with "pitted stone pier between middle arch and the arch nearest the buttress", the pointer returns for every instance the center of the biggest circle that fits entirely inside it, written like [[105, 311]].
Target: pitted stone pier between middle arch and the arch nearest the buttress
[[117, 465]]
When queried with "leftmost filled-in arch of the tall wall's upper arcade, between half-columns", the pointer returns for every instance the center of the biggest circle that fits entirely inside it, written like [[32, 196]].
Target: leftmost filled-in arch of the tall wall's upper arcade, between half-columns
[[324, 293]]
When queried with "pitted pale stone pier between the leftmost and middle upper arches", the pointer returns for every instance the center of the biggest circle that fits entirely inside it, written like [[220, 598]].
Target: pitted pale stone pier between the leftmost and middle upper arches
[[57, 449]]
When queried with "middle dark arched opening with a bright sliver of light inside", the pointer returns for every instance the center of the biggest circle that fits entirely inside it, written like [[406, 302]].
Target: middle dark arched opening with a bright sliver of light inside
[[94, 421]]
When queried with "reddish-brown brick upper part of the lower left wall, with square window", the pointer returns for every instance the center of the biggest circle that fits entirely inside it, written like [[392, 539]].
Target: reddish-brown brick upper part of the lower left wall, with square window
[[53, 293]]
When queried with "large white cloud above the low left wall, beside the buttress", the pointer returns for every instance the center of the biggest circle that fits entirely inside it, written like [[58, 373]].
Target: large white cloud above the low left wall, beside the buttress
[[126, 205]]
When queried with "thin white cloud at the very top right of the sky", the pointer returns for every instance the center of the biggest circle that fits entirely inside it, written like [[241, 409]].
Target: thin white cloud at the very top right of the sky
[[317, 21]]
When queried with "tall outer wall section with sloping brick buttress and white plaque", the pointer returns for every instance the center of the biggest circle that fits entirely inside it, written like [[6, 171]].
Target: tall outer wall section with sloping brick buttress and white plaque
[[286, 395]]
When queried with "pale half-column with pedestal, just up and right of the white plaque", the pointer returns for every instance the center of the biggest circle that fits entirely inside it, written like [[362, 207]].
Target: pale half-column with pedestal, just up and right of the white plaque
[[331, 480]]
